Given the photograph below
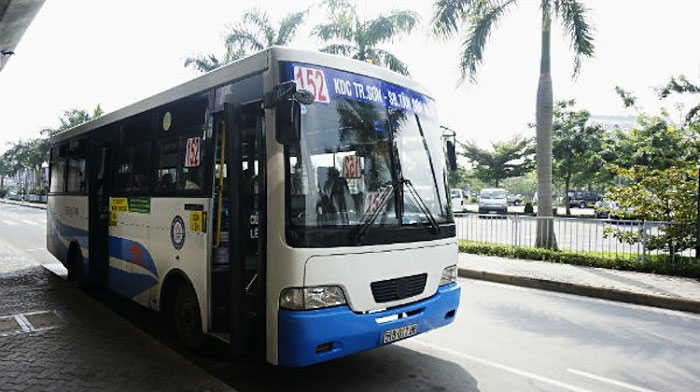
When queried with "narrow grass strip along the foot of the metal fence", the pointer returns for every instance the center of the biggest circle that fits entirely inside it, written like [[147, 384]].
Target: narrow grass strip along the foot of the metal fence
[[658, 264]]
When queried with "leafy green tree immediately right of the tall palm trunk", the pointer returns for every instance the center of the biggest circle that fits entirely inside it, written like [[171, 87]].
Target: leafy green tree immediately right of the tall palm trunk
[[575, 145]]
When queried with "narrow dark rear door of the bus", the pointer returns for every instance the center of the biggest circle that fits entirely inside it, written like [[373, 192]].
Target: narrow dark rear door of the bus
[[98, 213]]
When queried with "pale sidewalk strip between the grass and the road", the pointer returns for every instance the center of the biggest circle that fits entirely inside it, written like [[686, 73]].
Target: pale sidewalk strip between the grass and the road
[[662, 291]]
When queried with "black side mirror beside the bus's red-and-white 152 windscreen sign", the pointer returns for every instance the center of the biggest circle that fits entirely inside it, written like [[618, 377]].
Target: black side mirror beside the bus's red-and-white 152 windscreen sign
[[287, 101]]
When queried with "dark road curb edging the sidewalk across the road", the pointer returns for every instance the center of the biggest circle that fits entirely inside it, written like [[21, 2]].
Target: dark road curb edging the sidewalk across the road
[[658, 301]]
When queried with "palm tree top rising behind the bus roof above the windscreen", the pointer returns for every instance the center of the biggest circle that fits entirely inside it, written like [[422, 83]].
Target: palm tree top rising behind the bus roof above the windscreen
[[357, 38]]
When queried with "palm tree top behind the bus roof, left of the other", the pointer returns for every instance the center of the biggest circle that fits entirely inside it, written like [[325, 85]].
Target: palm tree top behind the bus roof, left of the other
[[254, 33]]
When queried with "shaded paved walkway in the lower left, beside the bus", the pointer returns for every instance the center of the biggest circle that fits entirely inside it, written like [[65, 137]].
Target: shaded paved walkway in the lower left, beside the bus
[[54, 337]]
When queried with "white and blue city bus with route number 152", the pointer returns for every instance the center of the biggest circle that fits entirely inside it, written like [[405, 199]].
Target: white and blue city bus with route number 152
[[293, 204]]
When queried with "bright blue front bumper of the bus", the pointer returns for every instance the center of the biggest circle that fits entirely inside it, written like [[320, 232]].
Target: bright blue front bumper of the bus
[[338, 331]]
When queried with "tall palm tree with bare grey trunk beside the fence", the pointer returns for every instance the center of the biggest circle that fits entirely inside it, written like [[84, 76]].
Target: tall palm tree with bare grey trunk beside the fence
[[479, 17]]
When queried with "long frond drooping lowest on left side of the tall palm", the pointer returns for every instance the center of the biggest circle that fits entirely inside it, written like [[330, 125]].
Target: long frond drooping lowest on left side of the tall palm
[[481, 23]]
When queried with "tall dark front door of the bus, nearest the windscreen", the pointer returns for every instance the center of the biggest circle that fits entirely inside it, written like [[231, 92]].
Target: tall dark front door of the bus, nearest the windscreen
[[246, 198]]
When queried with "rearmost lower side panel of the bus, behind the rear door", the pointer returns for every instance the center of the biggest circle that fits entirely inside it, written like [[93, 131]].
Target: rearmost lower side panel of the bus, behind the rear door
[[67, 221]]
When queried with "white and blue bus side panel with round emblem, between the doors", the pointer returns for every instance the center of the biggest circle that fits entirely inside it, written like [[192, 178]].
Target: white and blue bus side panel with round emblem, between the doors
[[154, 236]]
